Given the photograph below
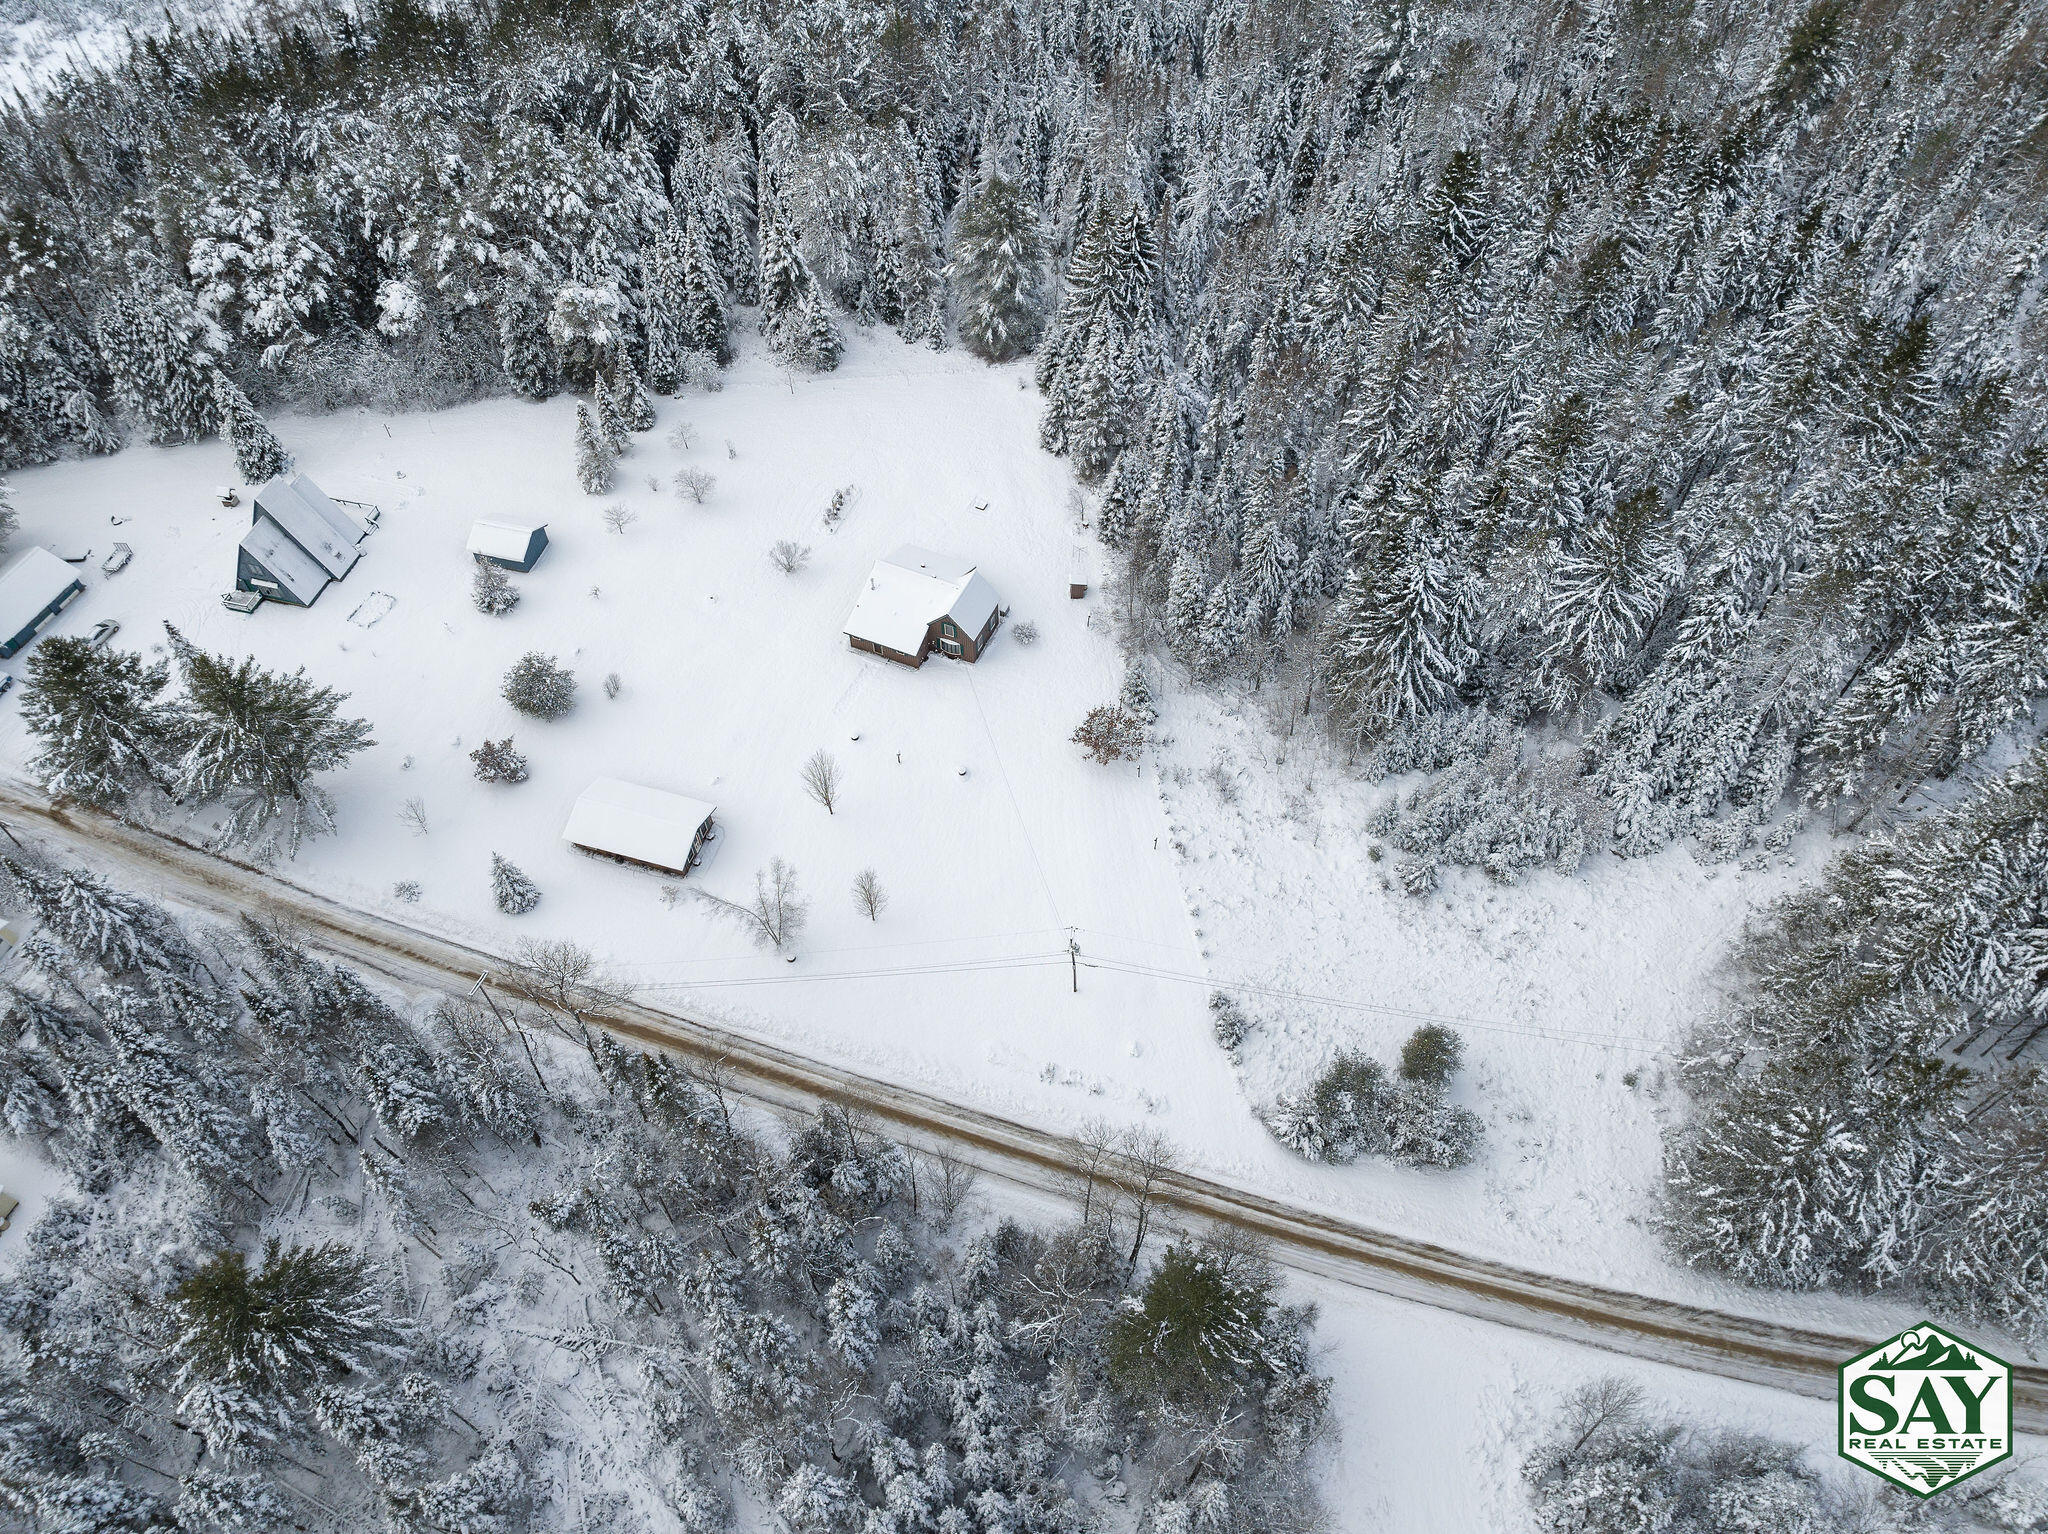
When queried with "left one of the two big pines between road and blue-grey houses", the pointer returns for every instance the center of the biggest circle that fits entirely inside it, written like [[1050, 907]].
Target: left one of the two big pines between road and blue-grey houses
[[97, 716]]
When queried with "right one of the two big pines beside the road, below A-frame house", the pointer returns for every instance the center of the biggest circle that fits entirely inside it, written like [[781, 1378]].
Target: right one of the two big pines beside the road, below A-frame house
[[255, 740]]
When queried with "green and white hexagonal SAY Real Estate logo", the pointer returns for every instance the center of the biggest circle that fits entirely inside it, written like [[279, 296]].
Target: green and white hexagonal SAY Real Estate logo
[[1926, 1410]]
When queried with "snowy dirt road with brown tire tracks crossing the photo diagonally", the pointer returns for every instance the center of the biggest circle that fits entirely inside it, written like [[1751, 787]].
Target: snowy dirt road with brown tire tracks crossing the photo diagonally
[[1664, 1332]]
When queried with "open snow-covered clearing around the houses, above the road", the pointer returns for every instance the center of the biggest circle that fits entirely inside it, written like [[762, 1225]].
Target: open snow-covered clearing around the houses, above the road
[[992, 835]]
